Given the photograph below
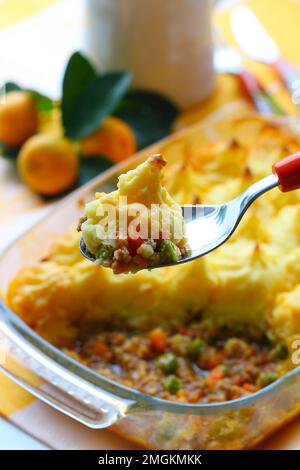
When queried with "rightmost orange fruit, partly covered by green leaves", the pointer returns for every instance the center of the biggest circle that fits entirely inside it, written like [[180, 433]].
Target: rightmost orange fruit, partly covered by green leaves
[[113, 138]]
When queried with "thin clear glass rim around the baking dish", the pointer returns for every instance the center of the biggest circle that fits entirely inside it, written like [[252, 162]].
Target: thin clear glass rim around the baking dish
[[140, 399]]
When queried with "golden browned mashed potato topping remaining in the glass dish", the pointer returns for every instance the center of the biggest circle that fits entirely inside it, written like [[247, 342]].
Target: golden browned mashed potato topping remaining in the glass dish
[[251, 280]]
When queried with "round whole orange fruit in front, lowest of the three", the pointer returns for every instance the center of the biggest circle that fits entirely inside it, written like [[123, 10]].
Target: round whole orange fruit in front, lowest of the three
[[48, 165]]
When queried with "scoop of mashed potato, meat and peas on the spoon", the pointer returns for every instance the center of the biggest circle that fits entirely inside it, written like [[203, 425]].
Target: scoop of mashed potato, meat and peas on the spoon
[[137, 226]]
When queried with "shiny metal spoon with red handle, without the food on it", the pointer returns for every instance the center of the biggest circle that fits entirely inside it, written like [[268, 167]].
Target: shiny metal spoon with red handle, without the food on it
[[208, 227]]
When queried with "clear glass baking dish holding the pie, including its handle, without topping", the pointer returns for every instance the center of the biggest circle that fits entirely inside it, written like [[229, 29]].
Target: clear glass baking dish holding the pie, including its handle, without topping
[[98, 402]]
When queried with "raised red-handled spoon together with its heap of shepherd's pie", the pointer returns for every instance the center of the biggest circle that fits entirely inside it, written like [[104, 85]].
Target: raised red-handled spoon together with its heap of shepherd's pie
[[204, 227]]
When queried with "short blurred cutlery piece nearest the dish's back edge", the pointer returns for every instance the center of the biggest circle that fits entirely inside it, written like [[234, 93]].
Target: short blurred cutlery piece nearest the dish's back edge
[[260, 98]]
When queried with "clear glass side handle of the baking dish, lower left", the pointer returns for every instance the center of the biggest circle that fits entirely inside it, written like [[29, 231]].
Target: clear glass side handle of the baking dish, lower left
[[47, 381]]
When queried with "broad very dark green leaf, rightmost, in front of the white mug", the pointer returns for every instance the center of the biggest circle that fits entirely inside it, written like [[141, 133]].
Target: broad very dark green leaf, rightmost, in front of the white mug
[[149, 115]]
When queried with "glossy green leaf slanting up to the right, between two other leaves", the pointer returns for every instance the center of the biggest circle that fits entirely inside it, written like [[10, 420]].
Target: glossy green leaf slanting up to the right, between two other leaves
[[97, 100]]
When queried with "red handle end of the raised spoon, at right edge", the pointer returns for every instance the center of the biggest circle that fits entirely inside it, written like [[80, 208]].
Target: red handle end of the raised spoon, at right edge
[[288, 172]]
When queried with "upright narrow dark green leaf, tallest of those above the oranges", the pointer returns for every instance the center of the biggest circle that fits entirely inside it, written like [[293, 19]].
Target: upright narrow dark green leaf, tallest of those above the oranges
[[79, 72]]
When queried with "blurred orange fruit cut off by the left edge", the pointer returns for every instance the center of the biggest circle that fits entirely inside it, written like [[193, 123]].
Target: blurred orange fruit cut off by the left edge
[[18, 118]]
